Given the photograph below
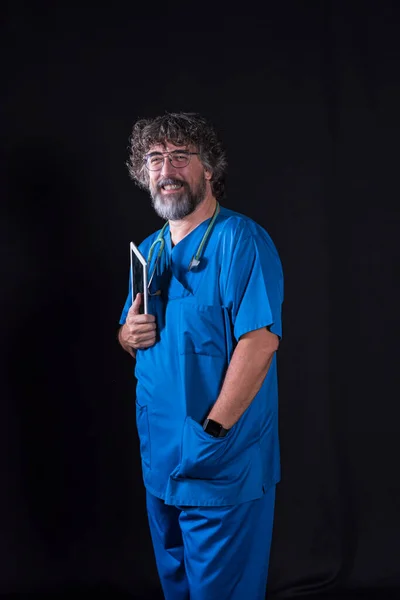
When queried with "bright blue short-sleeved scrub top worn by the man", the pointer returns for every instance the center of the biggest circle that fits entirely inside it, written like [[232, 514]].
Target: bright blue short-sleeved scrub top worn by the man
[[201, 314]]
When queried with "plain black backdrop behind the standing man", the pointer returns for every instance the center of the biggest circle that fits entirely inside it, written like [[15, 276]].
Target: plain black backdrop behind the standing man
[[306, 97]]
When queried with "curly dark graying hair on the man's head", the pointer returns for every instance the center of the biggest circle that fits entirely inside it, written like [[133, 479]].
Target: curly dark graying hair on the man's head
[[181, 129]]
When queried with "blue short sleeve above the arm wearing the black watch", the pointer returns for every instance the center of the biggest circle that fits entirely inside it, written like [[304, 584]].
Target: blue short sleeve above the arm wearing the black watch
[[253, 285]]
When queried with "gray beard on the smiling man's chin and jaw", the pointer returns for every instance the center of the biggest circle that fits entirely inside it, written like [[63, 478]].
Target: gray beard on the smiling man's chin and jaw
[[180, 204]]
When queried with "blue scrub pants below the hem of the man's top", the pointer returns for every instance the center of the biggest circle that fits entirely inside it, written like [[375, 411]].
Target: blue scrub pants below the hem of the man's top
[[212, 552]]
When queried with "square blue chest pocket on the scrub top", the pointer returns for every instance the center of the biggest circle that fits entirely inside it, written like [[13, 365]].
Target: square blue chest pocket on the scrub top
[[201, 329]]
